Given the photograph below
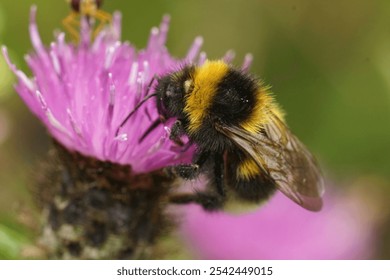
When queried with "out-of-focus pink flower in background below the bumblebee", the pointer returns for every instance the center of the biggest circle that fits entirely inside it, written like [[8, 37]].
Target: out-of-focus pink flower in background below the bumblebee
[[282, 230]]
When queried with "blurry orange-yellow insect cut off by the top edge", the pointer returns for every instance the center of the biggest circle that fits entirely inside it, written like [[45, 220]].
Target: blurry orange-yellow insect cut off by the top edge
[[91, 10]]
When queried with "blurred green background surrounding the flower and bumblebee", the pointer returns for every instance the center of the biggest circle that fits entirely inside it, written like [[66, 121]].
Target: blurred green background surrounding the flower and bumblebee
[[328, 63]]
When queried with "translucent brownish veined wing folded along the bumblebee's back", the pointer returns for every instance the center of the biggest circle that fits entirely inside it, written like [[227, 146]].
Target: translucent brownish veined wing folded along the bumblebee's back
[[282, 156]]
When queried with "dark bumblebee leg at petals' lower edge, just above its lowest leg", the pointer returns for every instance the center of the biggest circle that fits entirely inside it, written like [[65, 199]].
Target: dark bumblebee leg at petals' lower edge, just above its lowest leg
[[188, 171]]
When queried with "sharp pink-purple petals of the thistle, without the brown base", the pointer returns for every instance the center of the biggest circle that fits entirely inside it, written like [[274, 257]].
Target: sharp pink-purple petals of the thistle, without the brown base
[[83, 92]]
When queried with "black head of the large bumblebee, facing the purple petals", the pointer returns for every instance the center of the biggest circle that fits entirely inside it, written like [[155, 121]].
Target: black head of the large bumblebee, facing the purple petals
[[171, 91]]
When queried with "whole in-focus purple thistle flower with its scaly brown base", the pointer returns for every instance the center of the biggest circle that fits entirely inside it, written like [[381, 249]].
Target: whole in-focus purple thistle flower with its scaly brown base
[[82, 93]]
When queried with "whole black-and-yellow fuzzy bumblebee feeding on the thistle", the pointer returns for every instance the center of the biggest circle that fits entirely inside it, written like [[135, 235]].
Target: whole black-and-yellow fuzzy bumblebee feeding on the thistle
[[243, 144]]
